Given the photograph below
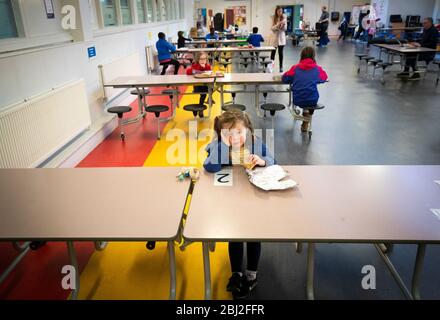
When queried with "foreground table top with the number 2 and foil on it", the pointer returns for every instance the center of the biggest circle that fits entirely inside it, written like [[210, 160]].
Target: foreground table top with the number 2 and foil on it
[[332, 203]]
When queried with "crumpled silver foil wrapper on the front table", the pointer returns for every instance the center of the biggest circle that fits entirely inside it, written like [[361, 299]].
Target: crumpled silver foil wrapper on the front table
[[270, 178]]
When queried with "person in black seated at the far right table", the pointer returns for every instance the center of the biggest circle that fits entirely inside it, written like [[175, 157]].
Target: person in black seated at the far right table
[[429, 40]]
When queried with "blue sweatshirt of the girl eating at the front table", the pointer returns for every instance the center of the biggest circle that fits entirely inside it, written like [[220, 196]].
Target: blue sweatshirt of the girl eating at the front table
[[218, 154]]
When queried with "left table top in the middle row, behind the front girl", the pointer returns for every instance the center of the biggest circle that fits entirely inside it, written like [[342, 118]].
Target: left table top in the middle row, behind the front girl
[[156, 80]]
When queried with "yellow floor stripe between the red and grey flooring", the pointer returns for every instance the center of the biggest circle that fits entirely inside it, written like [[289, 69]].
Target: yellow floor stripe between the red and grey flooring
[[130, 271]]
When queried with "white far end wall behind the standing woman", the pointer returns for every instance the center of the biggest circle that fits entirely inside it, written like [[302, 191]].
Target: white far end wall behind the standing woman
[[262, 10]]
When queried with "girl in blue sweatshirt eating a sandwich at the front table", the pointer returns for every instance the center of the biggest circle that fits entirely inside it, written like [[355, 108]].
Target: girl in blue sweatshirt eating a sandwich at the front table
[[234, 132]]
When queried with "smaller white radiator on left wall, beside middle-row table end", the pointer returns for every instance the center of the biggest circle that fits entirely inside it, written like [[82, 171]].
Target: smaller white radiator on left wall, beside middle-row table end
[[129, 65]]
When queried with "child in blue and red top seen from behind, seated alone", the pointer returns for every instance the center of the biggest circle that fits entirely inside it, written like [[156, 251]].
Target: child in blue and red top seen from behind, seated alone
[[304, 79]]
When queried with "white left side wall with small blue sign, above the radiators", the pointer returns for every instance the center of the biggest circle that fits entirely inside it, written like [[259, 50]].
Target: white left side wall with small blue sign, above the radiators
[[30, 72]]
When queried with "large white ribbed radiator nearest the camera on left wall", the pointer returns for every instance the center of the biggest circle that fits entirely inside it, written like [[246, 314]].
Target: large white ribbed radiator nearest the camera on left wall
[[33, 130]]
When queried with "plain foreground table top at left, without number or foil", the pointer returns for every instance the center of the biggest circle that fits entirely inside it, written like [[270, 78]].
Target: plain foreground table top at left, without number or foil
[[127, 204]]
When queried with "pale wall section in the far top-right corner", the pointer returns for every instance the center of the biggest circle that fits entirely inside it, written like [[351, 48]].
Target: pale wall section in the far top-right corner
[[423, 8]]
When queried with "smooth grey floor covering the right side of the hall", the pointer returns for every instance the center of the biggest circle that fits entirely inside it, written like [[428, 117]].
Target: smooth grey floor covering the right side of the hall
[[364, 122]]
